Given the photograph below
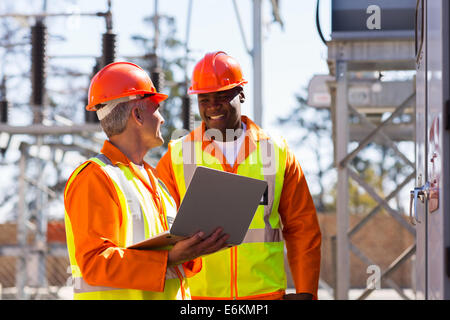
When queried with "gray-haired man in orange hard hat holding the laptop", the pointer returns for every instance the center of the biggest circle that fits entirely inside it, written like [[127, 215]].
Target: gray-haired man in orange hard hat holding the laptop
[[115, 200]]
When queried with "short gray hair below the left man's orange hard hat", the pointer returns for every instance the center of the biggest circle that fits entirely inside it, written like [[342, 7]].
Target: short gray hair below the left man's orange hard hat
[[116, 121]]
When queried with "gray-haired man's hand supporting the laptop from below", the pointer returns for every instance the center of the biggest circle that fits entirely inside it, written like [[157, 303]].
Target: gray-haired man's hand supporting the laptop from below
[[196, 246]]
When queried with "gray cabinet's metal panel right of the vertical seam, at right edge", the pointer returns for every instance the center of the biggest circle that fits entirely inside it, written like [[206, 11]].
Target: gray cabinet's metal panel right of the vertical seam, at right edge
[[438, 281]]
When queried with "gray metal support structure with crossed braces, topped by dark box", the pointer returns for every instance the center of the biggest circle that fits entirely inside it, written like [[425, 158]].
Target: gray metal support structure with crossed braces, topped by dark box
[[361, 50]]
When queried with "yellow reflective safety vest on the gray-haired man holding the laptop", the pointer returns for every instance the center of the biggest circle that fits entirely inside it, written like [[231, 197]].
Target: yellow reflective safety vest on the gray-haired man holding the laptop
[[135, 229]]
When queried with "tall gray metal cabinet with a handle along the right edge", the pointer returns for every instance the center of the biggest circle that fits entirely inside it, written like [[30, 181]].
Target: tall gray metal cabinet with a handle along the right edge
[[430, 199]]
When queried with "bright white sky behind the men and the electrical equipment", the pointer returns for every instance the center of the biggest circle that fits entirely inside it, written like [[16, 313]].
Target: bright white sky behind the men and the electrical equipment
[[291, 55]]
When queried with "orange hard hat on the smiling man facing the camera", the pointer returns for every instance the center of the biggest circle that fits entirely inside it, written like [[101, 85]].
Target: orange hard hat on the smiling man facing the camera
[[217, 71]]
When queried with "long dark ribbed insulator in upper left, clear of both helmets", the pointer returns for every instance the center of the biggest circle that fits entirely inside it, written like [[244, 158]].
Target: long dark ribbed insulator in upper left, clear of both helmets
[[38, 64]]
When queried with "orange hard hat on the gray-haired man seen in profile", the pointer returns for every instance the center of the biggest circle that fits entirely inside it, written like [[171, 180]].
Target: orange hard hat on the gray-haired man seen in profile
[[118, 80]]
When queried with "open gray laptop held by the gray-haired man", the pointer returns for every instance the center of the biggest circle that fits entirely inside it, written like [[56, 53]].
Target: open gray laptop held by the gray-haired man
[[213, 199]]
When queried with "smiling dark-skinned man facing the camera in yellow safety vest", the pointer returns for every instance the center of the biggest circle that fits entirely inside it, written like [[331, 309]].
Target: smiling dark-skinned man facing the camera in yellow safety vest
[[229, 141]]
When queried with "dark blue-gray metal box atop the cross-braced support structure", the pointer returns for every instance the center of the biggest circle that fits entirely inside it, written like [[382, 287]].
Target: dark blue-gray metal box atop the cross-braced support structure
[[372, 19]]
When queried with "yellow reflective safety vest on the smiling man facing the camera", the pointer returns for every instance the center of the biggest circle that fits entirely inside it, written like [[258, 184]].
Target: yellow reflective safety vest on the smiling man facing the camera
[[255, 267]]
